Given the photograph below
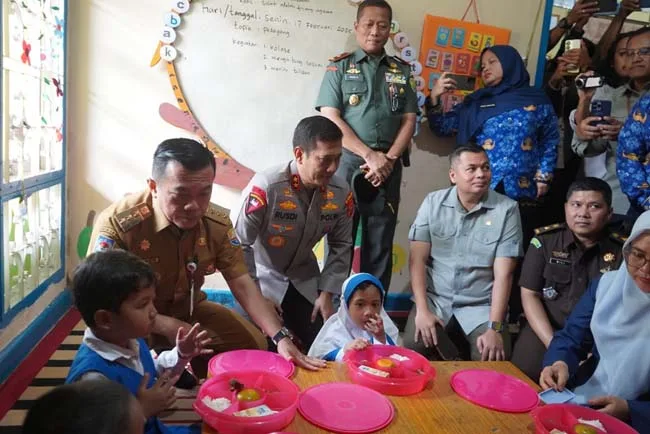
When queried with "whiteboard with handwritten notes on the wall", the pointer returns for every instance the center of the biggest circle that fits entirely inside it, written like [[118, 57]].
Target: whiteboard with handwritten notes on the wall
[[251, 69]]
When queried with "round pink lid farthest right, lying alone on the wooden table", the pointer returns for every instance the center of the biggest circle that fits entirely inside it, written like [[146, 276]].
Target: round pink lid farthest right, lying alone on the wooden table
[[494, 390]]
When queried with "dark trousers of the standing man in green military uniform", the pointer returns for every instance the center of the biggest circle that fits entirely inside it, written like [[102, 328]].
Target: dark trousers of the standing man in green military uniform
[[377, 231]]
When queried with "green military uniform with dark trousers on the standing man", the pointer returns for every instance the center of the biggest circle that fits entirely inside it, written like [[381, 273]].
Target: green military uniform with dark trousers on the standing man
[[373, 93]]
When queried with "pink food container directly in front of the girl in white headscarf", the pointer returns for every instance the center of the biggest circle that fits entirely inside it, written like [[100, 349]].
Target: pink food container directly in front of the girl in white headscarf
[[409, 374]]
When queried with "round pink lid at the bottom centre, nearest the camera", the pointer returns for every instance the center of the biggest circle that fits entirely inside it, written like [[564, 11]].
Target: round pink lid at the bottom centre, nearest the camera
[[346, 408]]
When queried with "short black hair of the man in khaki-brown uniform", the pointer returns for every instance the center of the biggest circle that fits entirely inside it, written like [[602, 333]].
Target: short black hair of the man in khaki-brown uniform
[[191, 154]]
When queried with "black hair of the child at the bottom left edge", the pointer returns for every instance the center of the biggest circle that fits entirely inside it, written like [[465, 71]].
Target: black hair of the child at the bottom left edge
[[93, 406]]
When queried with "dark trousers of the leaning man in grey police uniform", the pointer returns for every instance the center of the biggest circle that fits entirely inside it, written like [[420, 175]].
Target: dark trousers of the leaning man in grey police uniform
[[296, 314]]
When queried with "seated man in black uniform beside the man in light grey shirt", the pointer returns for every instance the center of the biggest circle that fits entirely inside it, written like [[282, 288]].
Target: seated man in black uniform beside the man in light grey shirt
[[560, 262]]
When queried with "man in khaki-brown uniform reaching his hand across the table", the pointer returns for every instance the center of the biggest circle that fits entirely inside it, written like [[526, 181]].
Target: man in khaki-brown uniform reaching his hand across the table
[[173, 226]]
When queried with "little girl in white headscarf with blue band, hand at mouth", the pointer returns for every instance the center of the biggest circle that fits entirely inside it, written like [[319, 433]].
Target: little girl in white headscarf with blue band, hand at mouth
[[361, 320]]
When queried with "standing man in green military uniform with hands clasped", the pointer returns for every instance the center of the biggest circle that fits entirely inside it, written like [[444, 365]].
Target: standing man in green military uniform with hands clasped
[[370, 96]]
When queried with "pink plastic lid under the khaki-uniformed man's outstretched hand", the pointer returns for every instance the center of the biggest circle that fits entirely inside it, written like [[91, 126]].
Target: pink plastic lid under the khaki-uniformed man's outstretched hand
[[250, 360]]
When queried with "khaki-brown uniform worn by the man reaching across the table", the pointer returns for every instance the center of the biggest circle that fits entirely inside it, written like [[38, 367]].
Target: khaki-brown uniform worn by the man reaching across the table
[[137, 224]]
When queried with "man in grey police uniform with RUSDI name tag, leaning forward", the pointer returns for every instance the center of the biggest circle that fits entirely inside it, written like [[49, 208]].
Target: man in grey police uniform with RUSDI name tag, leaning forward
[[287, 210]]
